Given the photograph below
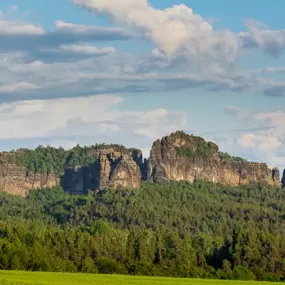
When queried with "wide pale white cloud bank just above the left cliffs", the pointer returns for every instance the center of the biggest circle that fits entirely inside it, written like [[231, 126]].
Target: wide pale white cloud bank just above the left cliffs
[[97, 119]]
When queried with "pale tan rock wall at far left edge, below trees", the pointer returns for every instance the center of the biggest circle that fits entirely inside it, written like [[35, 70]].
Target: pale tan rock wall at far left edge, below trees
[[15, 180]]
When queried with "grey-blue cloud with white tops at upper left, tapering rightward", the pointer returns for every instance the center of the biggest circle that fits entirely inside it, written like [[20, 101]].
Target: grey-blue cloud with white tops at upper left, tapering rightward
[[18, 34]]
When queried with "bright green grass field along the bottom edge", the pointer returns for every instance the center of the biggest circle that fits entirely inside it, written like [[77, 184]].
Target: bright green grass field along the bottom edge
[[29, 278]]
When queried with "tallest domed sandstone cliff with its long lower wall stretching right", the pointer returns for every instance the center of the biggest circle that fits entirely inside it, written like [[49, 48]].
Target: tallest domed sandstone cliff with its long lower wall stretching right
[[184, 157]]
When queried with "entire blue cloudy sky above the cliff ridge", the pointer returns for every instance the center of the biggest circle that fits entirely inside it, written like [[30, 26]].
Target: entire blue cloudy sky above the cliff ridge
[[133, 71]]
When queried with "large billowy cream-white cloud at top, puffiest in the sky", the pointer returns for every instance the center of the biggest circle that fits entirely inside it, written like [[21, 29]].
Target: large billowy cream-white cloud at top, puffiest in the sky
[[175, 31]]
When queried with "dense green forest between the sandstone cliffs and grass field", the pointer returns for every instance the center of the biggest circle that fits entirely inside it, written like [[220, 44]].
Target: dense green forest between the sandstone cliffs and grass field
[[177, 229]]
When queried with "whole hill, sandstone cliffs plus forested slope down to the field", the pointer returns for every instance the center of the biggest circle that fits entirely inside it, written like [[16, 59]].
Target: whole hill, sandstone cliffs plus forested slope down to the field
[[188, 211]]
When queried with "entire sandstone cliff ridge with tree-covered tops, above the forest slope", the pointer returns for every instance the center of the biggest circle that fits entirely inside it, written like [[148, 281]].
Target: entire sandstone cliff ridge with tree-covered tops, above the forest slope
[[177, 157]]
